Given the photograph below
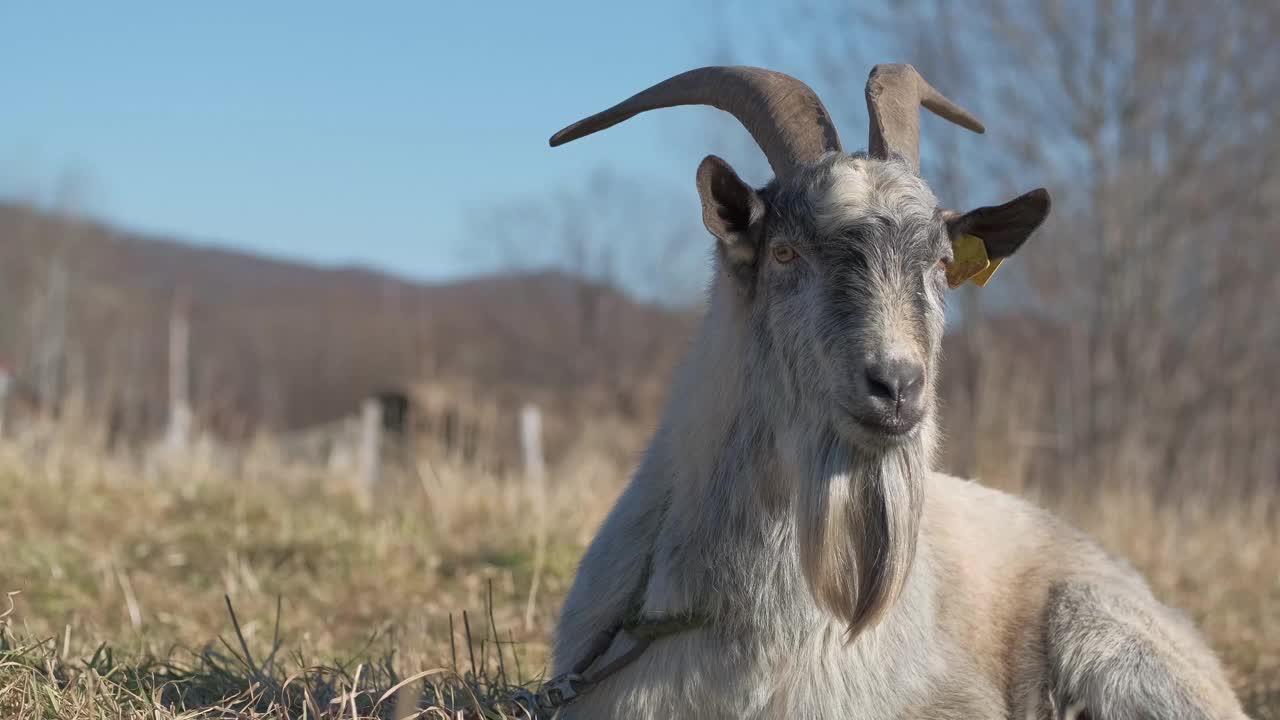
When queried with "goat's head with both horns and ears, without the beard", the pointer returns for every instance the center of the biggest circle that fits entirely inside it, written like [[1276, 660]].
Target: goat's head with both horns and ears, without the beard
[[840, 262]]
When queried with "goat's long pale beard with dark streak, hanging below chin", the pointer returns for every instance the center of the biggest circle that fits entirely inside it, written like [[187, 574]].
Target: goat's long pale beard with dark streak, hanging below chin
[[858, 520]]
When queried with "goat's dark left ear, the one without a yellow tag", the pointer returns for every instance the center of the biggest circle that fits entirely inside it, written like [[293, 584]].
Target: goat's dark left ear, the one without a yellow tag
[[732, 211]]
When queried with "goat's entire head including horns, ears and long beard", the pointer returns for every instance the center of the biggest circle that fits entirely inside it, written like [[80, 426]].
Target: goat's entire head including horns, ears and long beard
[[836, 274]]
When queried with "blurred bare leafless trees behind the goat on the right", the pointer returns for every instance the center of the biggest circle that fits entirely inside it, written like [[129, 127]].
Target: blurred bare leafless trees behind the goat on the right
[[1158, 125]]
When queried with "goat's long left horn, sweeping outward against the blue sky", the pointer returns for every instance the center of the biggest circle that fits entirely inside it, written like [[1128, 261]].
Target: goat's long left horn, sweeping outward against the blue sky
[[784, 116]]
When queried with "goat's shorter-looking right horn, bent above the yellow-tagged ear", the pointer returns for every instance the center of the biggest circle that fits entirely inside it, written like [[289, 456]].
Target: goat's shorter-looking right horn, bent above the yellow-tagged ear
[[894, 98]]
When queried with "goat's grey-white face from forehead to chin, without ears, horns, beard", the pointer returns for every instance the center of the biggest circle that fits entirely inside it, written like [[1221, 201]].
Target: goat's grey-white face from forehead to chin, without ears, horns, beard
[[851, 285]]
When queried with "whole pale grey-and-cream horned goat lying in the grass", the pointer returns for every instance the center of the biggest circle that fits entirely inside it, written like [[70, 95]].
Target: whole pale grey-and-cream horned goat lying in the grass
[[788, 499]]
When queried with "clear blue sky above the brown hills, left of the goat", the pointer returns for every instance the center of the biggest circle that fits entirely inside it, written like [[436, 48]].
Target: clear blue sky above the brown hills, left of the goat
[[337, 133]]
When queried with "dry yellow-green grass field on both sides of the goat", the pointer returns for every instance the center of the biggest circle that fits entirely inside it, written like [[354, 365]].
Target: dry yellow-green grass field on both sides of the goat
[[122, 587]]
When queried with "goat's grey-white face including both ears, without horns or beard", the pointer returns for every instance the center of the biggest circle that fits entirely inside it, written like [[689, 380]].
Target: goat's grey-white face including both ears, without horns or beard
[[843, 271]]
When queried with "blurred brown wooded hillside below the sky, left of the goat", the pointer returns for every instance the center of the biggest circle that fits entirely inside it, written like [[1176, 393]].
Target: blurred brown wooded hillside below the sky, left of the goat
[[291, 345]]
